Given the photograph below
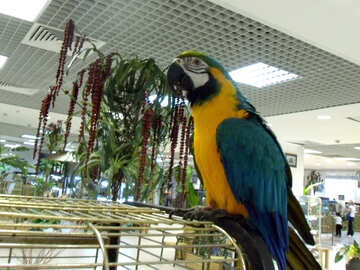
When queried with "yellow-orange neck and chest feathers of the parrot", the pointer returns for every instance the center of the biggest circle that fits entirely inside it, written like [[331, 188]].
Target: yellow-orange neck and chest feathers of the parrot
[[207, 118]]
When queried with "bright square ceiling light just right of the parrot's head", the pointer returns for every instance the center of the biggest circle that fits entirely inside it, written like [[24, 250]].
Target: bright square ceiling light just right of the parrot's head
[[261, 75]]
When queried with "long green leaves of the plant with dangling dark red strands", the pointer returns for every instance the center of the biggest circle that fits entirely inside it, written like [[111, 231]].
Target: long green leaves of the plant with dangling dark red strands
[[119, 131]]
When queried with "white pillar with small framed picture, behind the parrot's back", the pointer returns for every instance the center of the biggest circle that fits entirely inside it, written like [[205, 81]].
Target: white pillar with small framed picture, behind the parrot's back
[[298, 172]]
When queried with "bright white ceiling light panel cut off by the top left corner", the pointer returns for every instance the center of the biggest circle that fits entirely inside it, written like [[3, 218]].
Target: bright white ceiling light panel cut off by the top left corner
[[25, 10]]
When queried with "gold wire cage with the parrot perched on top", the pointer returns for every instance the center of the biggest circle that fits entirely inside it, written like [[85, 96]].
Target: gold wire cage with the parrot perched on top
[[54, 233]]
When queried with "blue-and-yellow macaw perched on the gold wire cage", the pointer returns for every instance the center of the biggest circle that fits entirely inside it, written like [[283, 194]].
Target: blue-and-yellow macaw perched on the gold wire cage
[[242, 166]]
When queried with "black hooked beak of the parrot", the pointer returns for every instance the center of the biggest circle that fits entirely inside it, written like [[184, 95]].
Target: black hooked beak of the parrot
[[178, 80]]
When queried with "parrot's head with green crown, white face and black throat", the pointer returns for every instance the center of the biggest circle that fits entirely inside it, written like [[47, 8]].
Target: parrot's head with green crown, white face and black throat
[[191, 73]]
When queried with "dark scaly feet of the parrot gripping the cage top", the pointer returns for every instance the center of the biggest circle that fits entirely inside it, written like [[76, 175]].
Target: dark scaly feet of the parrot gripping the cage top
[[202, 213]]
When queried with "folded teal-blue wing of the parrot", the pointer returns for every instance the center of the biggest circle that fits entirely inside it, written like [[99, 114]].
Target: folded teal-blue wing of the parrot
[[255, 169]]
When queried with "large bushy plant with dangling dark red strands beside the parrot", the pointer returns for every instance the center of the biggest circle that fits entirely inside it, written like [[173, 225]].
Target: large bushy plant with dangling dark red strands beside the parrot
[[124, 126]]
